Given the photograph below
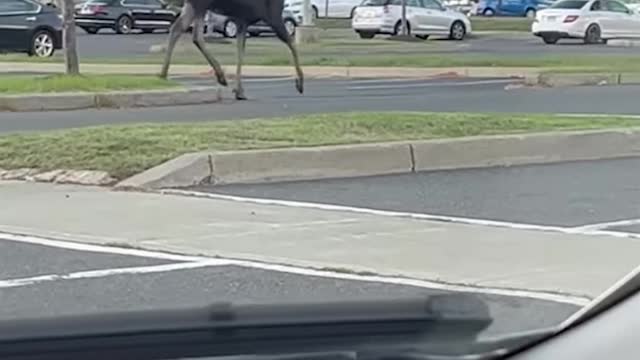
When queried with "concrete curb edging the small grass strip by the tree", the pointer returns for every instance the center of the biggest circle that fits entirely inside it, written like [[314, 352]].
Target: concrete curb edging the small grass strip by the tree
[[116, 99]]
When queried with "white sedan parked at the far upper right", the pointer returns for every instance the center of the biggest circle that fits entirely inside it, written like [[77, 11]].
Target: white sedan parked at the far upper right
[[595, 21]]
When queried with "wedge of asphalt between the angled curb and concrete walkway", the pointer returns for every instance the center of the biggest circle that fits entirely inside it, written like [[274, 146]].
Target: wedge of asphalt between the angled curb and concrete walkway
[[564, 194]]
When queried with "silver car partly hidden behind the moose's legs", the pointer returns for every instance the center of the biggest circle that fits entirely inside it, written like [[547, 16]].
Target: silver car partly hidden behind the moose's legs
[[227, 27]]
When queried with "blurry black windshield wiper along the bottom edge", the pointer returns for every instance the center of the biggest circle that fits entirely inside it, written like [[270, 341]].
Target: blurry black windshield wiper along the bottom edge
[[227, 330]]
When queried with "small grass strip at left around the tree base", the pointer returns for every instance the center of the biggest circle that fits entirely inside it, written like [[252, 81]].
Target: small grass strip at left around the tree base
[[16, 84]]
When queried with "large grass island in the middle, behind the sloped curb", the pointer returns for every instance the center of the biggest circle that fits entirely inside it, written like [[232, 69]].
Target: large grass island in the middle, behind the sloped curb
[[128, 149]]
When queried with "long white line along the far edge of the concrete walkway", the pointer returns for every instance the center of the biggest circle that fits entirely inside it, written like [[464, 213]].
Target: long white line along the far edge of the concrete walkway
[[400, 214]]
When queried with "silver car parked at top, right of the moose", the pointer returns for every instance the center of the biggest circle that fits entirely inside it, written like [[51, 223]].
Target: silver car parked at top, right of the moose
[[424, 17]]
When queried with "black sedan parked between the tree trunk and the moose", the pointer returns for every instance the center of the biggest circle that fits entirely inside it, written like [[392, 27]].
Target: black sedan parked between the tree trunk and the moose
[[123, 16]]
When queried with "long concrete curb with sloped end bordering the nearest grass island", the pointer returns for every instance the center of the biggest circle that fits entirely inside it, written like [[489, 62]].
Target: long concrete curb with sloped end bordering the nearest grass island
[[259, 166]]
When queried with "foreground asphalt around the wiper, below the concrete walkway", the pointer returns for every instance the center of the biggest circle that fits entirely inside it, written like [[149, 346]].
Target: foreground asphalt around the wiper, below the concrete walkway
[[64, 282]]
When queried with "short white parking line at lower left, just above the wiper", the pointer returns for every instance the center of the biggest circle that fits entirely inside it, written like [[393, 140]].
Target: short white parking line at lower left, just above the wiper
[[93, 274]]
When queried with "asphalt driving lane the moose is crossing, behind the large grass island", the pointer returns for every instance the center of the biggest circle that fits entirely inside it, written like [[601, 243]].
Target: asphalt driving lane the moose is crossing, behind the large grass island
[[277, 97]]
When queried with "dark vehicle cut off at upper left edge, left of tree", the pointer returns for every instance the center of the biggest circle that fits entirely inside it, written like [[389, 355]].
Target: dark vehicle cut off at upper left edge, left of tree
[[31, 27]]
